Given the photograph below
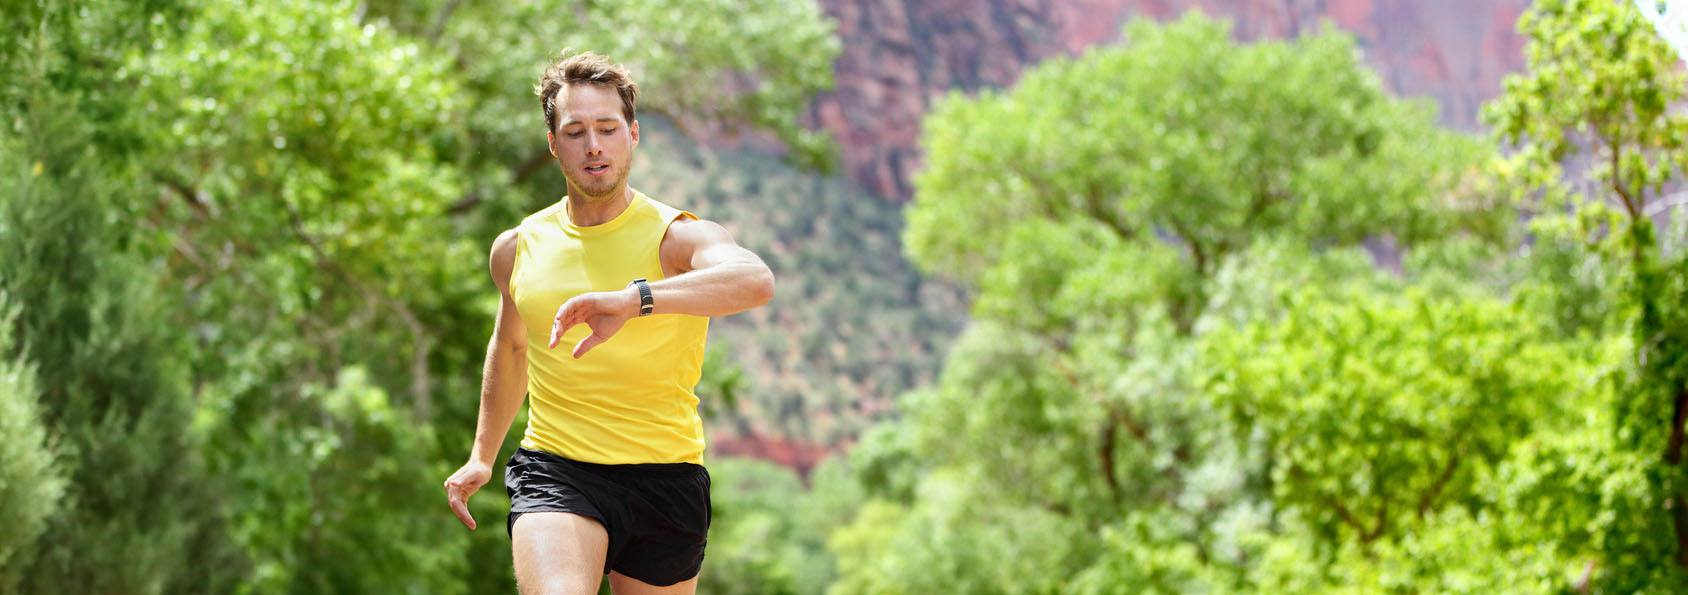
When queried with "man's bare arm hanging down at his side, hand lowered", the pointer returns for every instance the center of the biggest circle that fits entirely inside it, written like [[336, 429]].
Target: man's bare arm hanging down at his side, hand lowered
[[504, 385]]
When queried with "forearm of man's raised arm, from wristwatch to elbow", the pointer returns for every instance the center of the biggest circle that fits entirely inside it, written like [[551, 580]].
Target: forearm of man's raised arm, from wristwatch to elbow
[[722, 290]]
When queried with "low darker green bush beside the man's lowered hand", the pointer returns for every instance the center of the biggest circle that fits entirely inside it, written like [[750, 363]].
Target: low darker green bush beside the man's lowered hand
[[328, 510]]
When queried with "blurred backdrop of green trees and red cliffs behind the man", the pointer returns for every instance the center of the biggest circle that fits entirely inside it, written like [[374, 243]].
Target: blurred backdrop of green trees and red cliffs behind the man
[[1076, 297]]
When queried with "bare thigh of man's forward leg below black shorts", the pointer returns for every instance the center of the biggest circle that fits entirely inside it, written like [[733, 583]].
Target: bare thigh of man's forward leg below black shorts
[[560, 554]]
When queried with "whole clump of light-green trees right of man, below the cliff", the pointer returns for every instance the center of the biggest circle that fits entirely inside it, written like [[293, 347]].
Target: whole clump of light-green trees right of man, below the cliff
[[1186, 376]]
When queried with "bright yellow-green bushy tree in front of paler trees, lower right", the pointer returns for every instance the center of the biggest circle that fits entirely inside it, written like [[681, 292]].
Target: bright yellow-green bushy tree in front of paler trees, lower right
[[1385, 418]]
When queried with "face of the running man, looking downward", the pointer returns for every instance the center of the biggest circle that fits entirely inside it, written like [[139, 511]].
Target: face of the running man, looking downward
[[593, 141]]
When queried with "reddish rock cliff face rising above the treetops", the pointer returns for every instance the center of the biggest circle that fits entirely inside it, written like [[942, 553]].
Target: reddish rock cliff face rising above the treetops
[[901, 57]]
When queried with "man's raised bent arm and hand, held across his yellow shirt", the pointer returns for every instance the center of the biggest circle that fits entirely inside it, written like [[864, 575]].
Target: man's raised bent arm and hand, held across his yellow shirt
[[715, 276]]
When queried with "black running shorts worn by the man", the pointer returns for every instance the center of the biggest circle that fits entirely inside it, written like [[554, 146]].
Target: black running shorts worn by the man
[[657, 515]]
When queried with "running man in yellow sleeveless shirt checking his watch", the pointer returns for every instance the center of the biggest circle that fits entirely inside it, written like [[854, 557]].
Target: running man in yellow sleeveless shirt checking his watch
[[610, 472]]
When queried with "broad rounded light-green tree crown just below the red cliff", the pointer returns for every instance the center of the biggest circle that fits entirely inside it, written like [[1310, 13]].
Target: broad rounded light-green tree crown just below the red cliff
[[1184, 134]]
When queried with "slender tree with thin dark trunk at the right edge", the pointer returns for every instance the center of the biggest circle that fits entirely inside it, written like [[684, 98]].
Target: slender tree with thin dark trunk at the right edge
[[1598, 97]]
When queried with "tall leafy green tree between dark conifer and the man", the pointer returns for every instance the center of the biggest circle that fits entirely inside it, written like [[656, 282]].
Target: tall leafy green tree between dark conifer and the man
[[301, 202]]
